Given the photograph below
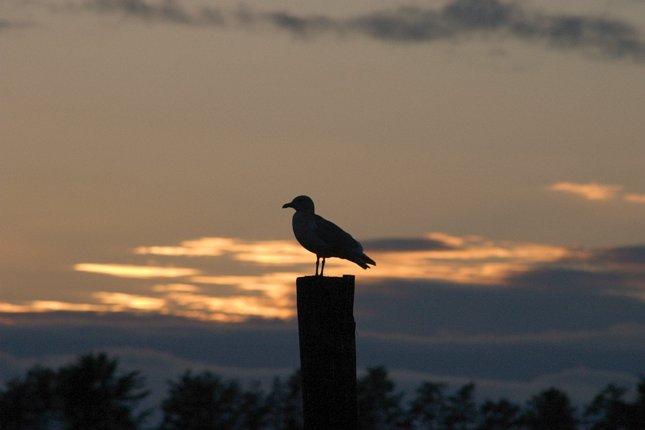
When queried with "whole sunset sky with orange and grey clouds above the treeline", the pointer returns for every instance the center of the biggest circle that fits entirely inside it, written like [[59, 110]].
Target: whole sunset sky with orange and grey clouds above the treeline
[[489, 155]]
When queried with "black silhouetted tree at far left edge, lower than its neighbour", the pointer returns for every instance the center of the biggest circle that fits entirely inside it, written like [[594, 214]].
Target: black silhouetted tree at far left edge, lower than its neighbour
[[30, 402]]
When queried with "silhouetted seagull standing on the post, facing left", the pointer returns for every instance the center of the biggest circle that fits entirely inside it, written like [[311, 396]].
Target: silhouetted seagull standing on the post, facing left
[[322, 237]]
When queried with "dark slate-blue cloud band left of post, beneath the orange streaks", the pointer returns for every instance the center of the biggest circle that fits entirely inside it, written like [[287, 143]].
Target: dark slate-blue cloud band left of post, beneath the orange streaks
[[257, 344]]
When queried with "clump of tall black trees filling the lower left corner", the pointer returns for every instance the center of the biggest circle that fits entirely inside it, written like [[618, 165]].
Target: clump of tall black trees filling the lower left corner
[[88, 394]]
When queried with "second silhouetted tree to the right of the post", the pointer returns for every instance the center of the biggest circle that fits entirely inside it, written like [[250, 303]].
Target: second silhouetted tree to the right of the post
[[426, 408]]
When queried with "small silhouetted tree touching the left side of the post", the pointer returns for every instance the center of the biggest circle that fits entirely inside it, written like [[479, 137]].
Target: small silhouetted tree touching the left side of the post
[[285, 403]]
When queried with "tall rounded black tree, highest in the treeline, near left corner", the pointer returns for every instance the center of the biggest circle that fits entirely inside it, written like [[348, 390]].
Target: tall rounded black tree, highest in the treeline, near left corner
[[94, 396]]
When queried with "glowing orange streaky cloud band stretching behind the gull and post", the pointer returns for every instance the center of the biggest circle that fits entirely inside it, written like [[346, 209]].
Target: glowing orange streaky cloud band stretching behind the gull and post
[[233, 280]]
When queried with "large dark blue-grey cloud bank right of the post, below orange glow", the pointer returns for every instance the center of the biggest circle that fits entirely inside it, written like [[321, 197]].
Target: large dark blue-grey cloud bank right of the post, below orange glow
[[586, 301]]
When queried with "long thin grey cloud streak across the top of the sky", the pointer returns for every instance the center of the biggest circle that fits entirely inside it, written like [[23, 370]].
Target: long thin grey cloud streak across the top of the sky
[[458, 19]]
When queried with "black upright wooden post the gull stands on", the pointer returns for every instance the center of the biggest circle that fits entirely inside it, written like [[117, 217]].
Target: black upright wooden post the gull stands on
[[326, 330]]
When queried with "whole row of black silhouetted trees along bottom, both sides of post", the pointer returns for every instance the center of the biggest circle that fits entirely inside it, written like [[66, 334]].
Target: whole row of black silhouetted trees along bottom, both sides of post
[[92, 393]]
